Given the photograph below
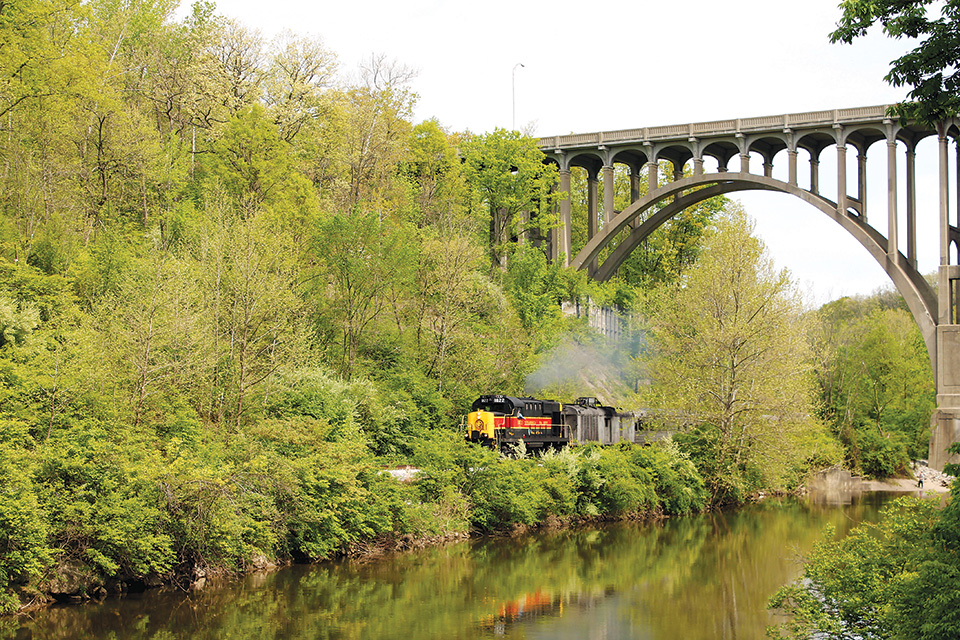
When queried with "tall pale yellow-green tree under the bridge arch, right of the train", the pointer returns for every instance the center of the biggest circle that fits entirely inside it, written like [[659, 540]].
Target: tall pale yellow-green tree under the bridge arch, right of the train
[[731, 359]]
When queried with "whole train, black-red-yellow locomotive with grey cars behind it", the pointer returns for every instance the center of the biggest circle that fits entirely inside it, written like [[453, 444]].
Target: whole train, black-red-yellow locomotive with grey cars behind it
[[504, 421]]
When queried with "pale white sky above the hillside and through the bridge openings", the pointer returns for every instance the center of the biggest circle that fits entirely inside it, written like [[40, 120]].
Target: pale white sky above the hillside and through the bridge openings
[[610, 65]]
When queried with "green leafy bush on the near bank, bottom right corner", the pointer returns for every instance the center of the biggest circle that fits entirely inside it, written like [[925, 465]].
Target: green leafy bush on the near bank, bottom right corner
[[895, 579]]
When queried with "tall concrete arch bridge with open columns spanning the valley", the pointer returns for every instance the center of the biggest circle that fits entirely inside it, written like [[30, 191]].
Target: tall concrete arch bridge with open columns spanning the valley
[[840, 131]]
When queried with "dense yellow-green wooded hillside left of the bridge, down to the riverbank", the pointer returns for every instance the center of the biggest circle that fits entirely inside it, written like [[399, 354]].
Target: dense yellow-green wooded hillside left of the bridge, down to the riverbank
[[234, 285]]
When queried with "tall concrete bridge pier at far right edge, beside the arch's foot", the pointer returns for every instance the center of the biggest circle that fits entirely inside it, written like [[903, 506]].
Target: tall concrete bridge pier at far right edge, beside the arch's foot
[[946, 420]]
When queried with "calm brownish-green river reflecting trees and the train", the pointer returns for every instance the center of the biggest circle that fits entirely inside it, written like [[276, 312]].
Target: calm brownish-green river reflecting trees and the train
[[705, 576]]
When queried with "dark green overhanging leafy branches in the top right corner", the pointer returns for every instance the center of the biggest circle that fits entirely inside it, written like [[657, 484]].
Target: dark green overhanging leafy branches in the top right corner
[[931, 69]]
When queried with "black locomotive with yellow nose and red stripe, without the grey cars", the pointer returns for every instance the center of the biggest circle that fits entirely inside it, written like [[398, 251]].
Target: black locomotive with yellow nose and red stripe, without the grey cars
[[502, 421]]
